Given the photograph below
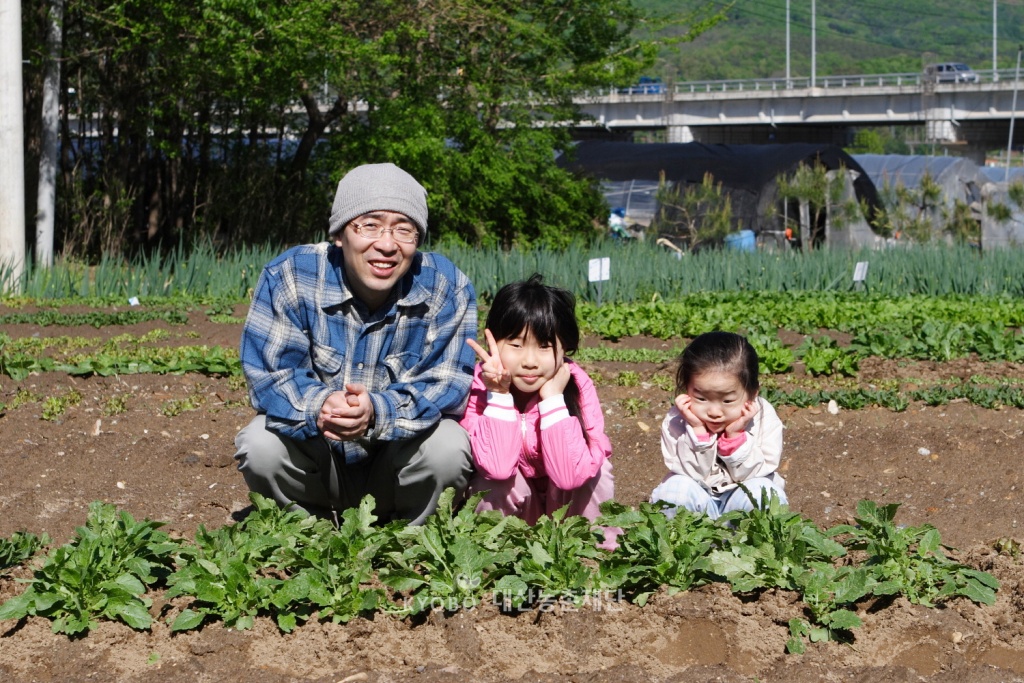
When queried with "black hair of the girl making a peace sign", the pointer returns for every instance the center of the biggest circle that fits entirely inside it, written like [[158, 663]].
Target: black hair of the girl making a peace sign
[[549, 314]]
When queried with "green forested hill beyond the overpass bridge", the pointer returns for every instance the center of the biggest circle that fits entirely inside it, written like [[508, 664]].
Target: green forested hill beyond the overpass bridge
[[854, 37]]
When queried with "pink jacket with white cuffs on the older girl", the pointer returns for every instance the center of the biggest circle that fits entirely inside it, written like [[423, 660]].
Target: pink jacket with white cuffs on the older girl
[[545, 441]]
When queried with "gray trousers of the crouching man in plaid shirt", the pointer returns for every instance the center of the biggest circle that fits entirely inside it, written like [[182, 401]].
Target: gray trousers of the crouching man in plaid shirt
[[406, 479]]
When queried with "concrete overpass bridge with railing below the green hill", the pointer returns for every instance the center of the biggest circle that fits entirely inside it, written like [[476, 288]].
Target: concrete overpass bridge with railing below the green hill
[[976, 117]]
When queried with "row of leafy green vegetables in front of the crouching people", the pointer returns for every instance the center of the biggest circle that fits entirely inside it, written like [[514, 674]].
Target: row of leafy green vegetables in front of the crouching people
[[294, 568]]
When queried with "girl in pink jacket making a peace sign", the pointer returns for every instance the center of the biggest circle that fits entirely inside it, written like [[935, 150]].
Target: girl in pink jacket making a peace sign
[[534, 419]]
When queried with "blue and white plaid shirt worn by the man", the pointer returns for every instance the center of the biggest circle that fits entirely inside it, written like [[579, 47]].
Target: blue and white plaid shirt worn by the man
[[308, 336]]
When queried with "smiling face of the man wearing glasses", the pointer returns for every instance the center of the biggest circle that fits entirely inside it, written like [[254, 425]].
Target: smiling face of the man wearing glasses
[[374, 266]]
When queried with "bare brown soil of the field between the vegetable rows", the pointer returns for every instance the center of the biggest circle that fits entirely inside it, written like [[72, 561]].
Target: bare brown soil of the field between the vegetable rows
[[957, 467]]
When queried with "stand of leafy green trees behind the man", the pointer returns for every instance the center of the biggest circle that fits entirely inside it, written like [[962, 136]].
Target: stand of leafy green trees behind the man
[[229, 120]]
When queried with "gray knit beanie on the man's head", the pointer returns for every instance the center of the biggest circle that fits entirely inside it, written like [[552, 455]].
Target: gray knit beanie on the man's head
[[379, 188]]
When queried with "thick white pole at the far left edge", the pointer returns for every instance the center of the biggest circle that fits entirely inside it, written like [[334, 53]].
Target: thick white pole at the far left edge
[[12, 149]]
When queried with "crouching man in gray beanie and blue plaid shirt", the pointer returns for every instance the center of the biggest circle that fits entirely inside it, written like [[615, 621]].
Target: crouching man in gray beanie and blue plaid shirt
[[355, 351]]
